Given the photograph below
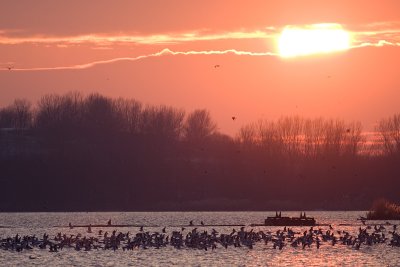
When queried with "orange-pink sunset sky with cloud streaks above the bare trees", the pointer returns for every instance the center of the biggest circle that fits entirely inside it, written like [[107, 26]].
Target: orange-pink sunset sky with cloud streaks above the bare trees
[[166, 52]]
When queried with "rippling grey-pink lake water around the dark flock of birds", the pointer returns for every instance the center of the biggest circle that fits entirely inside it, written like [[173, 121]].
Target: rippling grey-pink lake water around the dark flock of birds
[[260, 255]]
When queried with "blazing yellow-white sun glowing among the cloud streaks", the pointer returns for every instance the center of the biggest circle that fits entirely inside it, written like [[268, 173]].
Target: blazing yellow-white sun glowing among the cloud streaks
[[313, 39]]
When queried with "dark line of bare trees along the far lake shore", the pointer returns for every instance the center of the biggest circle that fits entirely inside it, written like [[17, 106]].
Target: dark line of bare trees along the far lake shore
[[76, 152]]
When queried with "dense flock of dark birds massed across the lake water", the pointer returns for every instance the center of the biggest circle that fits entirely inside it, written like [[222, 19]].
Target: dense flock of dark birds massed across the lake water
[[205, 240]]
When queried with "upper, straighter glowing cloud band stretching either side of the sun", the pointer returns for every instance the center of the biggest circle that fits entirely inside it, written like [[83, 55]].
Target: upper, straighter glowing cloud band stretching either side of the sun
[[388, 31]]
